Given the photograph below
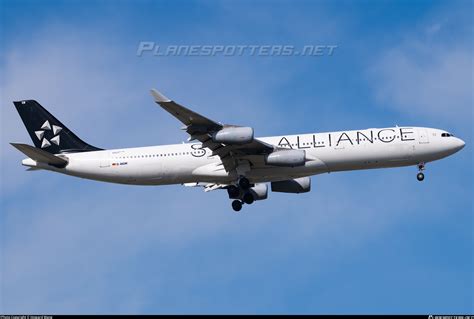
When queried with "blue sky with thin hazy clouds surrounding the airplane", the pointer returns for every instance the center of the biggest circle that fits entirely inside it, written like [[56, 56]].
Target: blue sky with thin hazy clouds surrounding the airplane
[[361, 242]]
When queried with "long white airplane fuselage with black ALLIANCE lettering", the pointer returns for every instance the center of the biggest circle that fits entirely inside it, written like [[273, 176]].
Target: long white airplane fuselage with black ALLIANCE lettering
[[325, 152]]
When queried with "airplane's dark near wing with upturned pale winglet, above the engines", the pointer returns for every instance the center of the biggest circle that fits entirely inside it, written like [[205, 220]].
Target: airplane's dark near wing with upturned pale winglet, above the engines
[[201, 128]]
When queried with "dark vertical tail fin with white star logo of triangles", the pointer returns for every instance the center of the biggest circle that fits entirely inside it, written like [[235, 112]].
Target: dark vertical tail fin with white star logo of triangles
[[47, 132]]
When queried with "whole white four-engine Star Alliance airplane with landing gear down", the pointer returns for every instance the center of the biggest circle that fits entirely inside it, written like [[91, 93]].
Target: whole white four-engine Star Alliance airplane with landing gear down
[[229, 157]]
